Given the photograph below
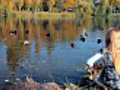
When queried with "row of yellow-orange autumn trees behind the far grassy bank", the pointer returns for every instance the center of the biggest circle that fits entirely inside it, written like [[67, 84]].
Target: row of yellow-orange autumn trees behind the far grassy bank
[[81, 6]]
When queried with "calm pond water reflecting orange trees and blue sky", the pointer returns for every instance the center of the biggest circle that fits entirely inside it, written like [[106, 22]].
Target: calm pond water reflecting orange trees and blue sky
[[49, 56]]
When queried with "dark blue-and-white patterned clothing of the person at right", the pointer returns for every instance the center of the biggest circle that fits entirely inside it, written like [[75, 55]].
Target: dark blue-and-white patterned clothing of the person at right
[[109, 76]]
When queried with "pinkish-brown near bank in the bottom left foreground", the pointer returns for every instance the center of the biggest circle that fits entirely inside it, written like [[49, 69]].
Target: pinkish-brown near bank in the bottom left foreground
[[29, 84]]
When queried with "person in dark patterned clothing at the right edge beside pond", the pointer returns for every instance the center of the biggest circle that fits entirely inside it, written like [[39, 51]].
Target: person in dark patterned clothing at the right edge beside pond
[[110, 76]]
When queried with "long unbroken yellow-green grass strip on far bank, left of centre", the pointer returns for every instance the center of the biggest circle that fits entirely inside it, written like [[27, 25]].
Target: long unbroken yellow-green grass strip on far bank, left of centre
[[43, 15]]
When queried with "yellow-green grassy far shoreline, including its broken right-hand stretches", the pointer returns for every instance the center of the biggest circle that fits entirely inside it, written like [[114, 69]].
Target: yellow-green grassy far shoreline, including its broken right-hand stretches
[[48, 15]]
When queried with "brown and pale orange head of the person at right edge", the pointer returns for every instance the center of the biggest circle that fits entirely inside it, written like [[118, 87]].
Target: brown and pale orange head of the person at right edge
[[110, 42]]
